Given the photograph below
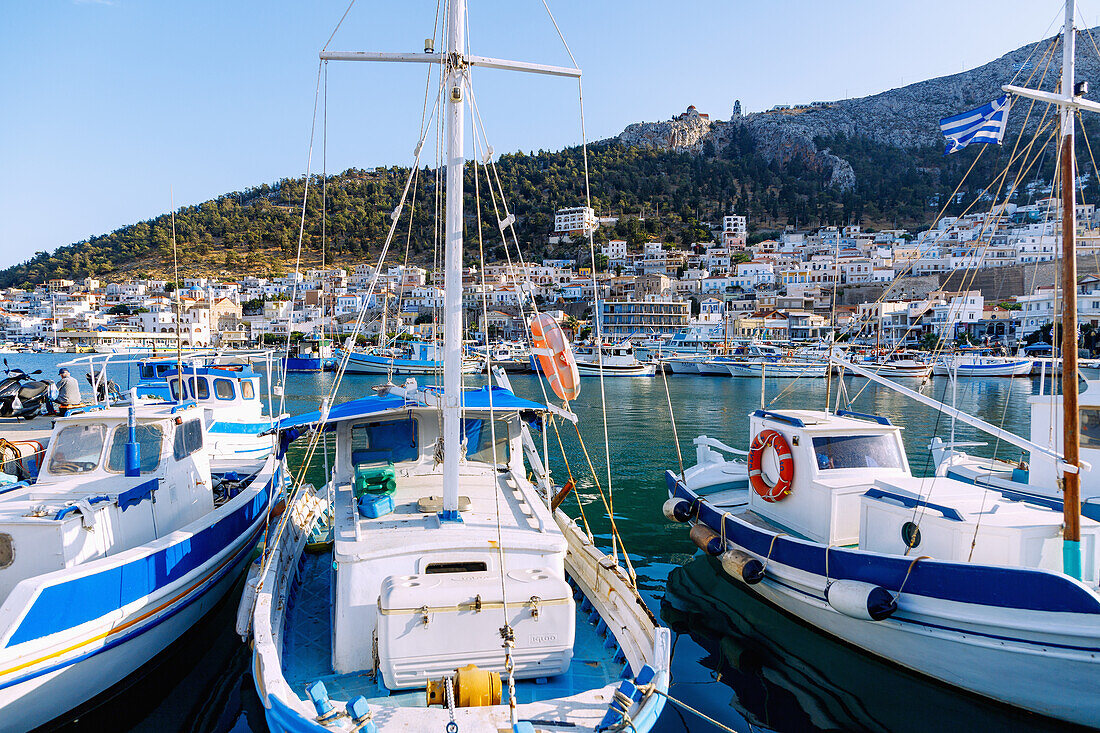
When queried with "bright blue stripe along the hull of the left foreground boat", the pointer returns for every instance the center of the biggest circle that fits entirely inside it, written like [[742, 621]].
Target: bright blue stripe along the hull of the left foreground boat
[[81, 600]]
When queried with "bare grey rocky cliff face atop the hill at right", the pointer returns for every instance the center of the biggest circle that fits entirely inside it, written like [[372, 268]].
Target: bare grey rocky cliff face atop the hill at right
[[906, 117]]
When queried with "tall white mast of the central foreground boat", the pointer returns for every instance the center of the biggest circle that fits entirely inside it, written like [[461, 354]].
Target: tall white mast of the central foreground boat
[[455, 68]]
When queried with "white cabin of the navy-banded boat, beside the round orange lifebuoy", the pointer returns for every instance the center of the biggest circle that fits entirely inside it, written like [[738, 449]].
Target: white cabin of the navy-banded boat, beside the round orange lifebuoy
[[852, 487]]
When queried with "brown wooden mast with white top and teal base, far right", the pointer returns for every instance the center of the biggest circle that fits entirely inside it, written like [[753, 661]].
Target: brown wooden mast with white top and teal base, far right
[[1071, 499]]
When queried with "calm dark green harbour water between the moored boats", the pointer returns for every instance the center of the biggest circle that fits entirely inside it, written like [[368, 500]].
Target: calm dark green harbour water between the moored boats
[[735, 659]]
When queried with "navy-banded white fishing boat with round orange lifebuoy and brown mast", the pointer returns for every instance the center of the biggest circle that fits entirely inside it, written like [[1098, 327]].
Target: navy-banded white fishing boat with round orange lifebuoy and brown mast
[[984, 590]]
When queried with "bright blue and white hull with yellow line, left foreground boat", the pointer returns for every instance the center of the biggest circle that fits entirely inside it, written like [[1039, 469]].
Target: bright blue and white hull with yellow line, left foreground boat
[[49, 674]]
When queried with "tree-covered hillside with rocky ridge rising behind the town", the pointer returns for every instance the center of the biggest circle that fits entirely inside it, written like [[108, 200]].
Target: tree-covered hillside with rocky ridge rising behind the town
[[877, 160]]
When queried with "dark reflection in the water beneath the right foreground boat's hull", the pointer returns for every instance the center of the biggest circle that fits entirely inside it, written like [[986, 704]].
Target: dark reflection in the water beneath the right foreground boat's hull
[[785, 676]]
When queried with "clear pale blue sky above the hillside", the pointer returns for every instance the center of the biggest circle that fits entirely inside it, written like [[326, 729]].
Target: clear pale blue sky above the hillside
[[106, 105]]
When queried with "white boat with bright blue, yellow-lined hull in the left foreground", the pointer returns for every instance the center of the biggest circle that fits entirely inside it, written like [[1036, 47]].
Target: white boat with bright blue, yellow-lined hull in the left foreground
[[126, 540]]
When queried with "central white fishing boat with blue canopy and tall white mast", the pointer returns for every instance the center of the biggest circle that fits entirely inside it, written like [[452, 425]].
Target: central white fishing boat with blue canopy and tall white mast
[[456, 594]]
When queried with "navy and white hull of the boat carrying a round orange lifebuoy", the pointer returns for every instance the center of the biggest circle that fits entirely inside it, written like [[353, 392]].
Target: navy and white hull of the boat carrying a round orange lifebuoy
[[1052, 654]]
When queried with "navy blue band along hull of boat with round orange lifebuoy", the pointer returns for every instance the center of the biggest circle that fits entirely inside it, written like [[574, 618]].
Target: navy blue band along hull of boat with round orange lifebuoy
[[1008, 588]]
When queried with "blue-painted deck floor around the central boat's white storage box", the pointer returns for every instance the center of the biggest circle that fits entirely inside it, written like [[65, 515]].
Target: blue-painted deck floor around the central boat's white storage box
[[307, 650]]
